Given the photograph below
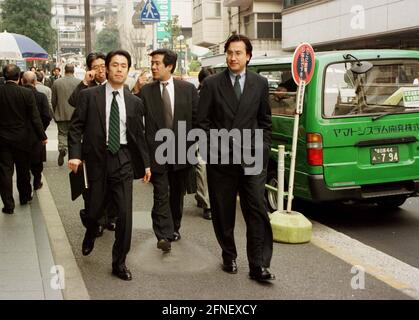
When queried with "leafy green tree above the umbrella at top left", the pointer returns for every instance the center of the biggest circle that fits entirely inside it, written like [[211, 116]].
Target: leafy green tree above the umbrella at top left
[[29, 18]]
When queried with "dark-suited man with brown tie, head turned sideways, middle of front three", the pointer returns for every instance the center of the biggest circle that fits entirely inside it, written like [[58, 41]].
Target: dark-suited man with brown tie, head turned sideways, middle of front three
[[168, 102]]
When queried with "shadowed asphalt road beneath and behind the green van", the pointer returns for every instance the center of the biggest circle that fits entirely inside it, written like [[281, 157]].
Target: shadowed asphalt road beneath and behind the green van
[[392, 231]]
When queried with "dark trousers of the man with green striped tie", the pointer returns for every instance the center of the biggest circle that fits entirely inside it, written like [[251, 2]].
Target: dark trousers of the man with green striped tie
[[115, 186]]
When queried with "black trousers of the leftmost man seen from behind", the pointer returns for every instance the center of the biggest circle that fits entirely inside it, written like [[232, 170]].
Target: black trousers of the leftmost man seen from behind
[[9, 157]]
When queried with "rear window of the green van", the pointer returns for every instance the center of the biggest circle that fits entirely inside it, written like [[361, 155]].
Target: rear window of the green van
[[389, 86]]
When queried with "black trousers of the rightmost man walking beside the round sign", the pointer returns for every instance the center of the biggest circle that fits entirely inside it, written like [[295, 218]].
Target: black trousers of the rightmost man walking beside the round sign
[[224, 182]]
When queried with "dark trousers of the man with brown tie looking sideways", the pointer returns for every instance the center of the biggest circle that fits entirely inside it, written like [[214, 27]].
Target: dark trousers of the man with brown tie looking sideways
[[168, 192]]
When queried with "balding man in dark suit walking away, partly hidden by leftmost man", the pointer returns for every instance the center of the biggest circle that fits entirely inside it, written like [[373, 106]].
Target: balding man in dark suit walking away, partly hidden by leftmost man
[[38, 150]]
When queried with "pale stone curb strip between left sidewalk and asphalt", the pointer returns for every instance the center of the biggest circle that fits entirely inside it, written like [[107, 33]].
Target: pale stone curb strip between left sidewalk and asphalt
[[75, 288]]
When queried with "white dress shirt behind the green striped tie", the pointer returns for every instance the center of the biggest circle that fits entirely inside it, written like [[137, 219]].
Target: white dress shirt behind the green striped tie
[[122, 112]]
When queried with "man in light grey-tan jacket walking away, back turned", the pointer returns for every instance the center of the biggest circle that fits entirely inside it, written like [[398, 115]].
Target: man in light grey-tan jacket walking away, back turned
[[61, 91]]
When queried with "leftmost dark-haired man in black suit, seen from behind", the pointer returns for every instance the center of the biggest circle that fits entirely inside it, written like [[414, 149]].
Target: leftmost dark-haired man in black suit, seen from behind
[[18, 114]]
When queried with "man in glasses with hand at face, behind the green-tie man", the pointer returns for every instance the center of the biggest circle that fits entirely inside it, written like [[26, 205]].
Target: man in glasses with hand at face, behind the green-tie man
[[95, 76]]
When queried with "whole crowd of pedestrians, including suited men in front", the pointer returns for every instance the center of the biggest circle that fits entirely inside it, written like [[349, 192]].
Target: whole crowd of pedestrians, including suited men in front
[[110, 135]]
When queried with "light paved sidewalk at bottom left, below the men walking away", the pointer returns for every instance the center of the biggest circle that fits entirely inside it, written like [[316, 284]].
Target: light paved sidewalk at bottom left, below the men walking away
[[26, 259]]
